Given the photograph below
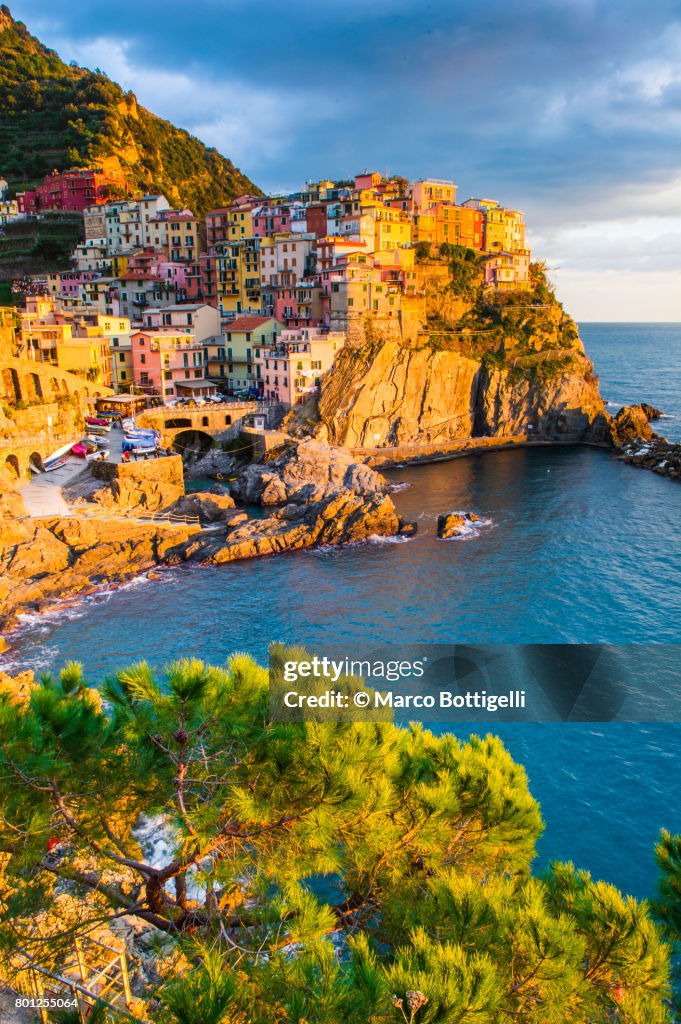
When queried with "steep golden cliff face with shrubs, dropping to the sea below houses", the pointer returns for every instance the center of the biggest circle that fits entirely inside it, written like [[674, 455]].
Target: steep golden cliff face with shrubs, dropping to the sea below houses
[[524, 371]]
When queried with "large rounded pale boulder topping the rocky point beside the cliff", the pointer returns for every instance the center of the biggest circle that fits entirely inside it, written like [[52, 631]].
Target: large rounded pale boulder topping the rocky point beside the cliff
[[308, 473]]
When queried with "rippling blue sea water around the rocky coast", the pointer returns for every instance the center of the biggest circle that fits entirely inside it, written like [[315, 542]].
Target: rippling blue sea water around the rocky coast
[[575, 547]]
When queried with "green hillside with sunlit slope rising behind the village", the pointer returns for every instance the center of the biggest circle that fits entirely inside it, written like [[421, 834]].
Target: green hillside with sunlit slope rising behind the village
[[54, 115]]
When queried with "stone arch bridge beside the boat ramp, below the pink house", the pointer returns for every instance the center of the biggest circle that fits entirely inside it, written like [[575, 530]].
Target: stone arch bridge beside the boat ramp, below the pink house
[[185, 426]]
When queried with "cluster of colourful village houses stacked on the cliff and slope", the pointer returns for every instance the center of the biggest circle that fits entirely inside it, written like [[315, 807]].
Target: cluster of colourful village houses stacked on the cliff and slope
[[256, 298]]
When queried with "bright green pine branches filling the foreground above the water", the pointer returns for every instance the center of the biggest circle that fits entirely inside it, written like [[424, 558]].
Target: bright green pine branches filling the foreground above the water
[[326, 874]]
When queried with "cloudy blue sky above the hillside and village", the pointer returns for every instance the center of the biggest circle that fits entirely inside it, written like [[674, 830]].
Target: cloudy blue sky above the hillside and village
[[568, 111]]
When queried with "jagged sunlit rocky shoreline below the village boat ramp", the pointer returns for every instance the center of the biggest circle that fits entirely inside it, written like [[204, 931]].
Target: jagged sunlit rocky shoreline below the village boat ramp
[[321, 496]]
